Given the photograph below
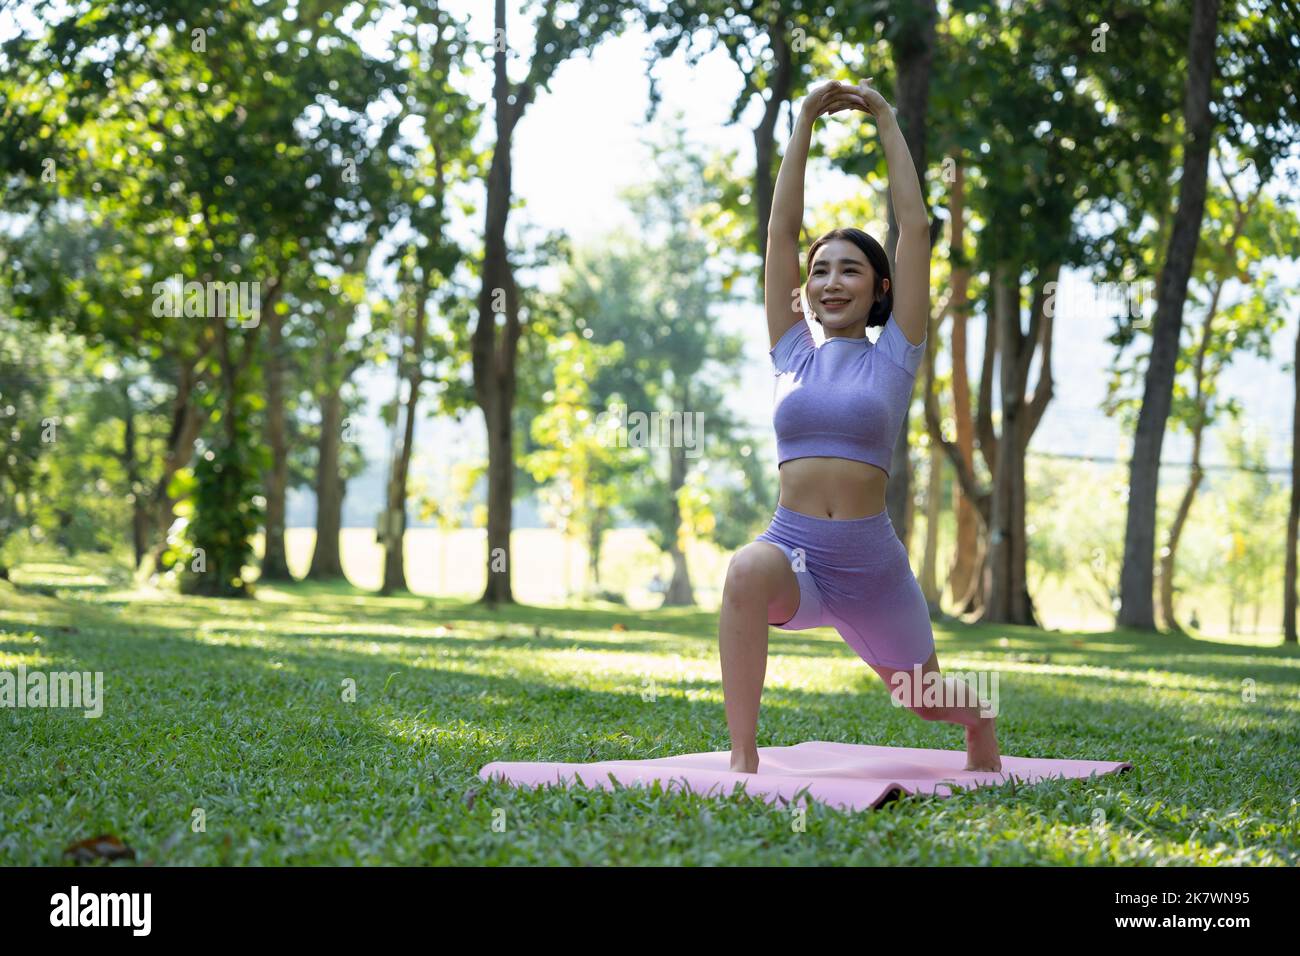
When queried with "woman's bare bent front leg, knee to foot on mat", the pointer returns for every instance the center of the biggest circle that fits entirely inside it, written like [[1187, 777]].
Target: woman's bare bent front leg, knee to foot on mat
[[761, 590]]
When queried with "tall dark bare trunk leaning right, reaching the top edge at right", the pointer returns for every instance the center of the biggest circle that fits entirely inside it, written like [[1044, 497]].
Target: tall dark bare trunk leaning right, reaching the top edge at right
[[1136, 579]]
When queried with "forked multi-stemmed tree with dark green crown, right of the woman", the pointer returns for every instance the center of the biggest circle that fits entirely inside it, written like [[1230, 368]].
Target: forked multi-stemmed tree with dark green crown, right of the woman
[[1046, 152]]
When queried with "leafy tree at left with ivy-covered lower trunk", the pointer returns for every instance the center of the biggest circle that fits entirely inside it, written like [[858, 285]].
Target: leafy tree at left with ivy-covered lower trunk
[[245, 194]]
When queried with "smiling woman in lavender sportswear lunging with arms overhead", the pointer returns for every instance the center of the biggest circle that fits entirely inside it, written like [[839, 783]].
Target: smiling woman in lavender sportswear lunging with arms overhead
[[831, 556]]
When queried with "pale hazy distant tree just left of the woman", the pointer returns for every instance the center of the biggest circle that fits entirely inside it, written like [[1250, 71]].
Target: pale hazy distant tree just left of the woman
[[655, 295]]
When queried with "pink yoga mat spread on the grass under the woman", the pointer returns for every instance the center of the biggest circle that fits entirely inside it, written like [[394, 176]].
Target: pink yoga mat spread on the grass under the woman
[[850, 777]]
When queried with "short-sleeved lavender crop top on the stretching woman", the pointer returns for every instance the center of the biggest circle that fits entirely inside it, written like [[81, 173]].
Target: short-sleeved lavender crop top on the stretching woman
[[844, 399]]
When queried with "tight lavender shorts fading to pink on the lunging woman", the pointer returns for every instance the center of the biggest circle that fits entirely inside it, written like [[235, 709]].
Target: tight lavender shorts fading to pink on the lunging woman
[[855, 577]]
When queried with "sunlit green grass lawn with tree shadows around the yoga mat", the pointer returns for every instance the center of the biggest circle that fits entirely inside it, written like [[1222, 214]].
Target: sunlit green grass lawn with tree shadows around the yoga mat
[[235, 708]]
